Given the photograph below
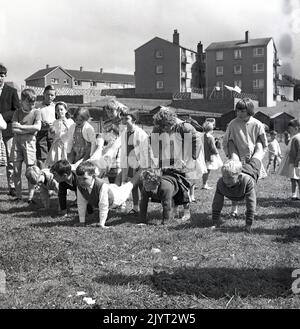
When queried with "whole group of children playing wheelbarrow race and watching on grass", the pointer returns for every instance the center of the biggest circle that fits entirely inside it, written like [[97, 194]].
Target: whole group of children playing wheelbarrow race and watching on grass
[[64, 154]]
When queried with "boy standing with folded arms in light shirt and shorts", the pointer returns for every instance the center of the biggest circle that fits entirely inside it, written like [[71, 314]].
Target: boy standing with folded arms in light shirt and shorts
[[26, 122]]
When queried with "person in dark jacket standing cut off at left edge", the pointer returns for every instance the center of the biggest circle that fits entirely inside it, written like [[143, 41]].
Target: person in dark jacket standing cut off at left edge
[[9, 102]]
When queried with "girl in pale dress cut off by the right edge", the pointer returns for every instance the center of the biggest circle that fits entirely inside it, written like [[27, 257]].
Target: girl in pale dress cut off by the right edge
[[290, 165]]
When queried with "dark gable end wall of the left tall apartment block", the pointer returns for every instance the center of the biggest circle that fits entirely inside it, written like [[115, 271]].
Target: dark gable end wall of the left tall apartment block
[[145, 67]]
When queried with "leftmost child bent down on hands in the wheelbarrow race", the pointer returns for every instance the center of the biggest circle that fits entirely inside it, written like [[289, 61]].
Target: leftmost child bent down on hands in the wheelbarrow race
[[45, 180]]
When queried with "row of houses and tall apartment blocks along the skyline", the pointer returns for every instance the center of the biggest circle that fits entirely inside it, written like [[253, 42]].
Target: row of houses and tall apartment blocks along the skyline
[[165, 67]]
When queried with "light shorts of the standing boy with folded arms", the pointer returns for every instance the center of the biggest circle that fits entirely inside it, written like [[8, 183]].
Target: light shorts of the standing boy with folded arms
[[24, 149]]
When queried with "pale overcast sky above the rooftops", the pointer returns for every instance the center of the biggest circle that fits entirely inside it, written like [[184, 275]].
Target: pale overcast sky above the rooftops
[[104, 33]]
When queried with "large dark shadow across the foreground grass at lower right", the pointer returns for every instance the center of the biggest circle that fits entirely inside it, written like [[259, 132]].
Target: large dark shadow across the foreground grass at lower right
[[211, 282]]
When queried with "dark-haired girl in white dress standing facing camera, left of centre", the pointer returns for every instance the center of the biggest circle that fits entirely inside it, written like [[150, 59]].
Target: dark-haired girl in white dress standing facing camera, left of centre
[[59, 130]]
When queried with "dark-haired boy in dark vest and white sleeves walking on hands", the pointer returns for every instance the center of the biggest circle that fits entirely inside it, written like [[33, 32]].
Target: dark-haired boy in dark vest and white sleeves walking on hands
[[96, 192]]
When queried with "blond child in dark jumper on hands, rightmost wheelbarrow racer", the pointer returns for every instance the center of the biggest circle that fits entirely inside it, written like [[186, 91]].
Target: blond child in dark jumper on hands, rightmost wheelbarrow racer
[[238, 183]]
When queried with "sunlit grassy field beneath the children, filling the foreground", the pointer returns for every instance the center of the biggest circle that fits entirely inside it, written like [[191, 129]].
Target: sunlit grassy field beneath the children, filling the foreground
[[47, 259]]
